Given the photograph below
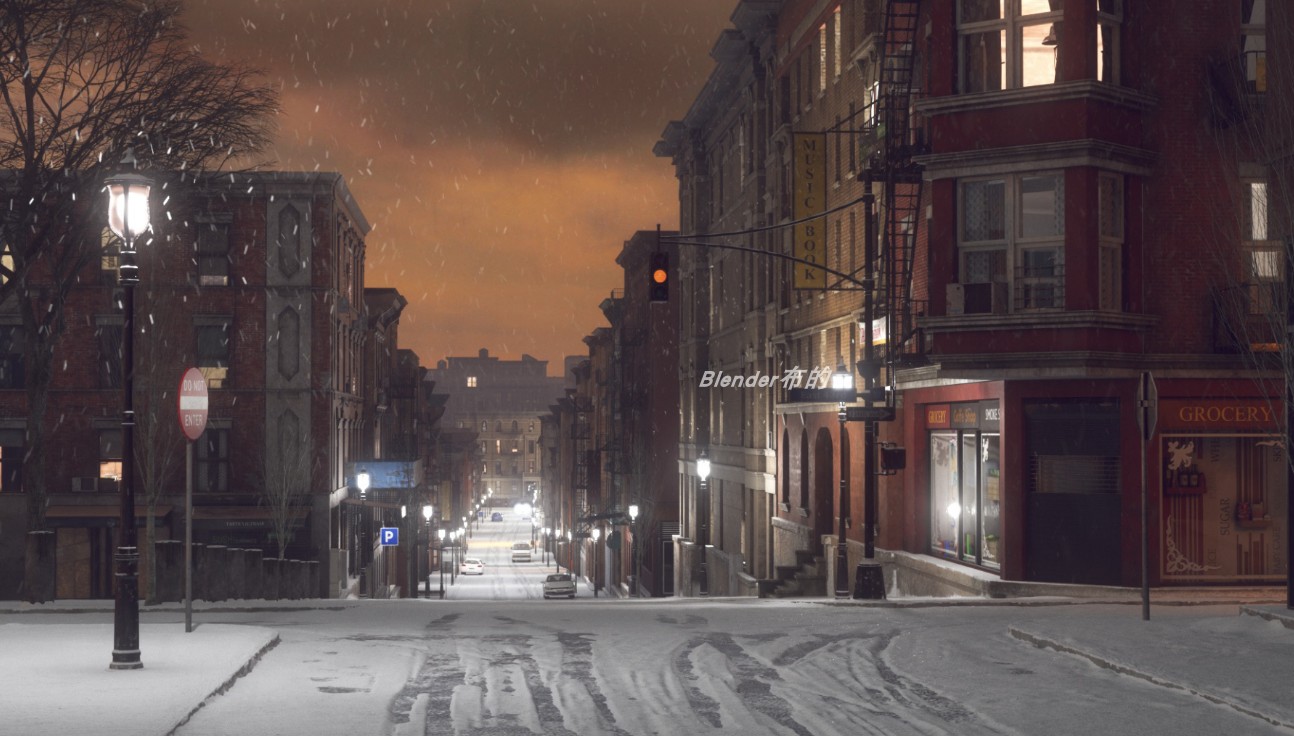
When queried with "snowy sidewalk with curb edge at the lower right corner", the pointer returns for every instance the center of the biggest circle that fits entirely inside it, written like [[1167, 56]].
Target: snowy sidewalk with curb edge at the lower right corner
[[1244, 663]]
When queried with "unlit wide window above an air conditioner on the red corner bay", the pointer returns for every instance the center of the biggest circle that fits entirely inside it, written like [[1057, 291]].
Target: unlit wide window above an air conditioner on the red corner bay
[[1014, 232]]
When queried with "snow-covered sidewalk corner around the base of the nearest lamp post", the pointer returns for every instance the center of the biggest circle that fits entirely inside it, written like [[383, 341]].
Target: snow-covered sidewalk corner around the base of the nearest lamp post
[[58, 675]]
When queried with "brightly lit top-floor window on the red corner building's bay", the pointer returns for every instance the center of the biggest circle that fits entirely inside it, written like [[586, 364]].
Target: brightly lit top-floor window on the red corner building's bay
[[1006, 45]]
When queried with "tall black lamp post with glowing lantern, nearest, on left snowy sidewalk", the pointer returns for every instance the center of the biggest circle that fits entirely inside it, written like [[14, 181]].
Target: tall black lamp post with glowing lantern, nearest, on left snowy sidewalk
[[129, 218]]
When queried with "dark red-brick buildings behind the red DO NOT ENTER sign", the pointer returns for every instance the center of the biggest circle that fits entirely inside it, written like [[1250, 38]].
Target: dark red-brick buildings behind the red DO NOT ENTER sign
[[258, 281]]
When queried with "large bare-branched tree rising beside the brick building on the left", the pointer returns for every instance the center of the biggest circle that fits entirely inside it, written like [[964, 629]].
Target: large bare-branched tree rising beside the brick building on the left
[[82, 82]]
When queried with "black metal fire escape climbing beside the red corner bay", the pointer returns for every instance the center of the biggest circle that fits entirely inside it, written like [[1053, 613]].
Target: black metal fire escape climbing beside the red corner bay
[[900, 178]]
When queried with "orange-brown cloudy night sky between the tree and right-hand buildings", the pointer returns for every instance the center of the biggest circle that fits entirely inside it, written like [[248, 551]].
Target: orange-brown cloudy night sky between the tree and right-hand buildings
[[500, 148]]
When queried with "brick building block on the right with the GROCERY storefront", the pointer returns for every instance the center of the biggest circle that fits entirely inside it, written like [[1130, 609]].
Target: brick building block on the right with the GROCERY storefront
[[1033, 235]]
